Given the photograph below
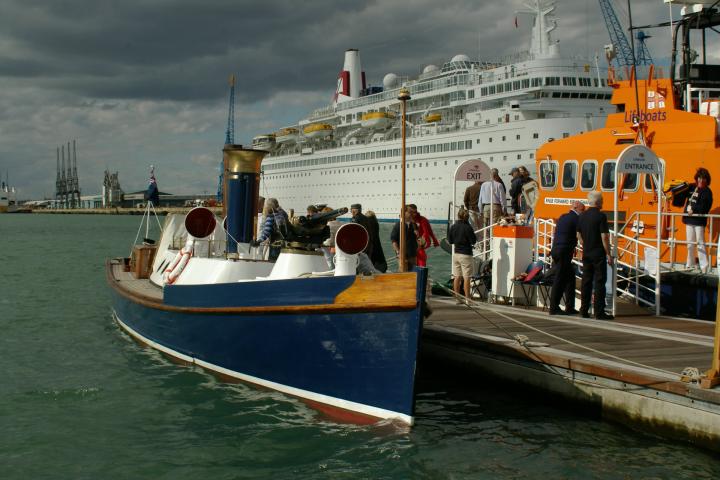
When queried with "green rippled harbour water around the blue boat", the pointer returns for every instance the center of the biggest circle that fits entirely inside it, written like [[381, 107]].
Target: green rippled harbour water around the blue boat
[[79, 399]]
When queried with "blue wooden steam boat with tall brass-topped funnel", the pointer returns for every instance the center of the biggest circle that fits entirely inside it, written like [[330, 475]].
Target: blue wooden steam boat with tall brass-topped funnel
[[345, 344]]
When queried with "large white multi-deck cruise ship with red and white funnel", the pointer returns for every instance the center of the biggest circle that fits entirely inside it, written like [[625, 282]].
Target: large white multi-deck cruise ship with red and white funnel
[[499, 113]]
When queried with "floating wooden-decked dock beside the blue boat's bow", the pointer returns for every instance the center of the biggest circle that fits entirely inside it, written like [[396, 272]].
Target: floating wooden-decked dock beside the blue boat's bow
[[630, 369]]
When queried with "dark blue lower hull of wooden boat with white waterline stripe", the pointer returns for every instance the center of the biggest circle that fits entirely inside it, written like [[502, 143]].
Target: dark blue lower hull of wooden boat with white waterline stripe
[[354, 365]]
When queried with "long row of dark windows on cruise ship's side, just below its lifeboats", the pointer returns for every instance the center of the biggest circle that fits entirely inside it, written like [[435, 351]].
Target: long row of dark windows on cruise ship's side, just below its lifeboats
[[392, 152]]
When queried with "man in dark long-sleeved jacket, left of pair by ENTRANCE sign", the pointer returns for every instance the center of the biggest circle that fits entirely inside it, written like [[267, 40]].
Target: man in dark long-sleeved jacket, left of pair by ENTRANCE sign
[[562, 252]]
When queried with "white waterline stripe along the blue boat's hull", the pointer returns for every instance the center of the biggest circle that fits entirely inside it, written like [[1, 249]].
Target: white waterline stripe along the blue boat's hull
[[296, 392]]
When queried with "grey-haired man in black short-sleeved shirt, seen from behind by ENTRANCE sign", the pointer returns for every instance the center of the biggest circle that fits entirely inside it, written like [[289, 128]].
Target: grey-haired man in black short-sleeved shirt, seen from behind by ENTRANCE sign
[[594, 234]]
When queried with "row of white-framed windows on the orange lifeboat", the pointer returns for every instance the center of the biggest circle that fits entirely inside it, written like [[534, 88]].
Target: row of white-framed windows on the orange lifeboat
[[588, 177]]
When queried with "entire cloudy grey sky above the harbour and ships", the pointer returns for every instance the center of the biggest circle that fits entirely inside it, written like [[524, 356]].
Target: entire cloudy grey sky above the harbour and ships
[[140, 82]]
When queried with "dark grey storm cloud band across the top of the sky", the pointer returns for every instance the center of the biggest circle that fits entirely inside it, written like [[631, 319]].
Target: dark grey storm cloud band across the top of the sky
[[180, 50]]
